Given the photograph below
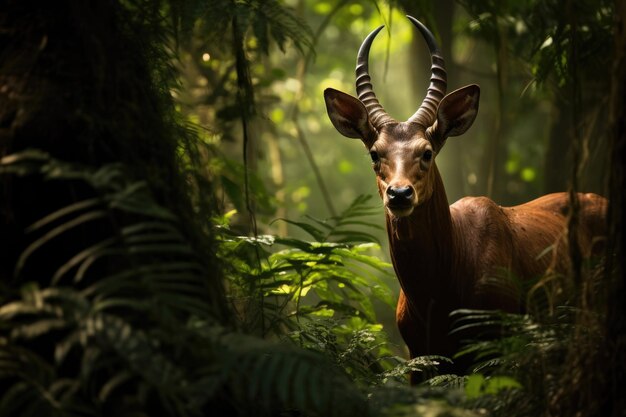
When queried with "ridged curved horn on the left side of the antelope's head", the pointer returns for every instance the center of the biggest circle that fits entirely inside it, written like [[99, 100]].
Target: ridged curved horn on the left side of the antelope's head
[[378, 115]]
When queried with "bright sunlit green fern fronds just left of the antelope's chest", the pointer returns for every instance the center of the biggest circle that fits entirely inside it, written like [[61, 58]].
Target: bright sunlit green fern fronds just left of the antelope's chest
[[334, 270]]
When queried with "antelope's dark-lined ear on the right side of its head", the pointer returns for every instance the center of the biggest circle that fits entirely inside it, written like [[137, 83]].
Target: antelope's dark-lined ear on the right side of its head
[[457, 111]]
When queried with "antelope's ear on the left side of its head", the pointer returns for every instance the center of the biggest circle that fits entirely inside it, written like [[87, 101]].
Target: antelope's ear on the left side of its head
[[349, 115]]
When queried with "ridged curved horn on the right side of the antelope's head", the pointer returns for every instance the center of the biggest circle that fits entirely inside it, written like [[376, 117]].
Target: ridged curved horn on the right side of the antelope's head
[[427, 112]]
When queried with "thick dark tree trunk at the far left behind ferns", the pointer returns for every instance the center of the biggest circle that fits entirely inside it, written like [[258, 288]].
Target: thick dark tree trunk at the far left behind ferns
[[83, 81]]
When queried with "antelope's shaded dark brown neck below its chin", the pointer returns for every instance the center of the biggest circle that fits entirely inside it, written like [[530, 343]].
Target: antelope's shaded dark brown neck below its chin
[[422, 247]]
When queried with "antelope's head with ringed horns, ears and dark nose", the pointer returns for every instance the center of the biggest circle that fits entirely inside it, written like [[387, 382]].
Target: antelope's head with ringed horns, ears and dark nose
[[403, 153]]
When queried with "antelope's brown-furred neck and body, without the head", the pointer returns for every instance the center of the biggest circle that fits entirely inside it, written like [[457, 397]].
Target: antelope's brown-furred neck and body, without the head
[[445, 258]]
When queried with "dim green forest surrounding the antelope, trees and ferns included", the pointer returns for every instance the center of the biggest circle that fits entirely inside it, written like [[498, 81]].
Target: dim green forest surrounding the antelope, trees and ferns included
[[183, 231]]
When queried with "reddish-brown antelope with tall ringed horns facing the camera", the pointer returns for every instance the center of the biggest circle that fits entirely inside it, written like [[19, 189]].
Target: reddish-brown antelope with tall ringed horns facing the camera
[[447, 257]]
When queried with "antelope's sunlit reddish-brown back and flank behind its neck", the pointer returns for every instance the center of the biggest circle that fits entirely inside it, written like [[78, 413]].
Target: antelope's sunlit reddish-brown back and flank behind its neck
[[522, 241]]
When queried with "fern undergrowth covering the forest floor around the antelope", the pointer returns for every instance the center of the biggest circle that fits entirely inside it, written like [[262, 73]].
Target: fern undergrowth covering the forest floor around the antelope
[[125, 323]]
